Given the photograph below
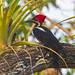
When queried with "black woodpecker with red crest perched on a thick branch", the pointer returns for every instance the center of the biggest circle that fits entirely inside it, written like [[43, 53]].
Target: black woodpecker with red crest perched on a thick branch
[[46, 37]]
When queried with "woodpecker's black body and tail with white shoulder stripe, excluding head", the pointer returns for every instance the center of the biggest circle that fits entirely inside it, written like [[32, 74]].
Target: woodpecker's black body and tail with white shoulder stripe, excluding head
[[45, 36]]
